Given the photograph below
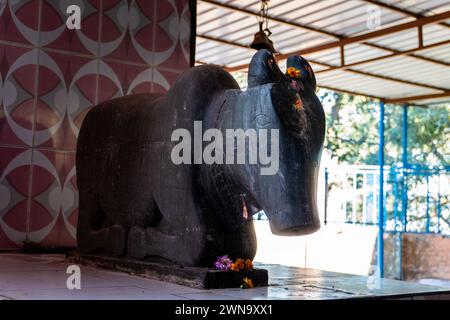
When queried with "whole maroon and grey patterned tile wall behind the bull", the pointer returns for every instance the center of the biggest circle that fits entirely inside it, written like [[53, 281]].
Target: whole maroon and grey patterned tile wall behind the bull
[[51, 76]]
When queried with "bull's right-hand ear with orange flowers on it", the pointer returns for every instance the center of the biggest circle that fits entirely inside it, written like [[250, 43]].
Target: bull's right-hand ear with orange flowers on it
[[298, 69]]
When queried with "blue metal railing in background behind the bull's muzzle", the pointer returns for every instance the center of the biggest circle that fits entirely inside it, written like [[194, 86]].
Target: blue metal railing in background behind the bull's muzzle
[[416, 198]]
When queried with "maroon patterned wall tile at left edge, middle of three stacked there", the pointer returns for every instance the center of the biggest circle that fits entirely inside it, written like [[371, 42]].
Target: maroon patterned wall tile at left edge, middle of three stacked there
[[17, 90]]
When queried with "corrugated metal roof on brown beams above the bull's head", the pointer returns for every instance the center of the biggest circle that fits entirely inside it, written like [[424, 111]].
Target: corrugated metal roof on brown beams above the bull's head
[[225, 28]]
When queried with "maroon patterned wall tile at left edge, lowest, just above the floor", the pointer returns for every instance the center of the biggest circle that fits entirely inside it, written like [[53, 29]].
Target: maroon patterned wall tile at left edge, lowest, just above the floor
[[14, 183]]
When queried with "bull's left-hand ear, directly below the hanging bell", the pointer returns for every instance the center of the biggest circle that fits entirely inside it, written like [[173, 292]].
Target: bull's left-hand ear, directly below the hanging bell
[[263, 69]]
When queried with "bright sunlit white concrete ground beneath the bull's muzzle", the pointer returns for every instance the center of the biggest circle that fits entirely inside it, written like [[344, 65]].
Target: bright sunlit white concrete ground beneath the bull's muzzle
[[342, 248]]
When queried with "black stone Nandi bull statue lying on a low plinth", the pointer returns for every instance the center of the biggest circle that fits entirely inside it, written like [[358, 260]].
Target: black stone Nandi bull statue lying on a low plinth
[[136, 202]]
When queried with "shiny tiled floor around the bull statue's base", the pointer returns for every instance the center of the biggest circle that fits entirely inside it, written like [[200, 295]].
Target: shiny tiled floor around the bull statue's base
[[25, 276]]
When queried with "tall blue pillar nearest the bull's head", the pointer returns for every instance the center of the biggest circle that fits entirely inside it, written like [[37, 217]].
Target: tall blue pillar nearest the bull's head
[[380, 255]]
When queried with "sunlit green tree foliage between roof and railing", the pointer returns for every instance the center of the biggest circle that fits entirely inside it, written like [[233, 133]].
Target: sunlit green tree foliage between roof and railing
[[353, 124]]
